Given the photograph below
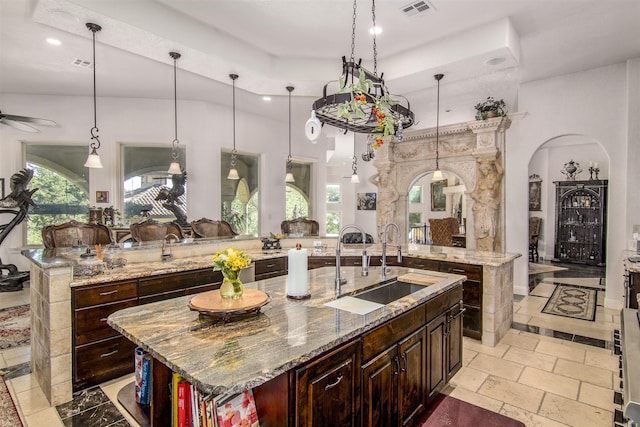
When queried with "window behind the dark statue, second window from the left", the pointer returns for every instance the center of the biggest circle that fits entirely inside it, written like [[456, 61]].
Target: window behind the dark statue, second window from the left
[[145, 174]]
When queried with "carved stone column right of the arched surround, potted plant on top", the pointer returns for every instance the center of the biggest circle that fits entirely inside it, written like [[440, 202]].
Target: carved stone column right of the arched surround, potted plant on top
[[488, 194]]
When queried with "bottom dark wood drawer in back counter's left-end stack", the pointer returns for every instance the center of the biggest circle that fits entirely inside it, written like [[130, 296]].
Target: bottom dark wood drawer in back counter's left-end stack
[[102, 361]]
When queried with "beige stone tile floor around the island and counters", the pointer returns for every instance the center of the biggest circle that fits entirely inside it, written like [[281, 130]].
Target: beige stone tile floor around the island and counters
[[547, 371]]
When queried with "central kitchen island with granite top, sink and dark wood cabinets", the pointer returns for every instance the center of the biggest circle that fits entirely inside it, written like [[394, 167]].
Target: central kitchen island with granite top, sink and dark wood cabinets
[[271, 349]]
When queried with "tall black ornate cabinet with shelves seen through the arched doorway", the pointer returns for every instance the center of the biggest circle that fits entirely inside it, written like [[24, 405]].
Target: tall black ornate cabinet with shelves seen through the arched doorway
[[581, 222]]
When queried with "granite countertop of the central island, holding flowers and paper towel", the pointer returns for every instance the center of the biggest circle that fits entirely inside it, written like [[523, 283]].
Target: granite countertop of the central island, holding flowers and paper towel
[[226, 358]]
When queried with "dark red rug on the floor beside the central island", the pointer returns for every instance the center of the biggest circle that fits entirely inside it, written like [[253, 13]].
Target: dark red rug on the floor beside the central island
[[449, 411]]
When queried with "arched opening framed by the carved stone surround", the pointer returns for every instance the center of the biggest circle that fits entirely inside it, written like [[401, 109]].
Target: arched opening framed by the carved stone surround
[[428, 199]]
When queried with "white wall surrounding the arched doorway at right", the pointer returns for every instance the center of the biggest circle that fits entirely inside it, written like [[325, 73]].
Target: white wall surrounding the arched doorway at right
[[593, 104]]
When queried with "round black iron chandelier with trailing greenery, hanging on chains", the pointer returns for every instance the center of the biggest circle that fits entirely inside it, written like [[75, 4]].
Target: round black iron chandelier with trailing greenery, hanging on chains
[[362, 103]]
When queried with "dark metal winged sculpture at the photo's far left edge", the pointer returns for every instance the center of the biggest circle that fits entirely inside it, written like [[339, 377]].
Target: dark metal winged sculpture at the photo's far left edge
[[17, 204]]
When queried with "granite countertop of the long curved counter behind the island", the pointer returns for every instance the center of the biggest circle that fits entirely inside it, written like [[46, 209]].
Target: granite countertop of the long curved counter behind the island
[[145, 261]]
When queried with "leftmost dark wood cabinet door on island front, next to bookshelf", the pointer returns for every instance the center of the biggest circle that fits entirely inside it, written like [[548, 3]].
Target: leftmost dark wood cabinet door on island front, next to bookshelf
[[327, 390]]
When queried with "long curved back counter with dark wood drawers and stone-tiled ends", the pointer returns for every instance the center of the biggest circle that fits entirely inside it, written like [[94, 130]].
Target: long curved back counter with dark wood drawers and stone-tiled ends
[[69, 310]]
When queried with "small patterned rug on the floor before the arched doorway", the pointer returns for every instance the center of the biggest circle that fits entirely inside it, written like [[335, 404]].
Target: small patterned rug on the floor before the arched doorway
[[571, 301]]
